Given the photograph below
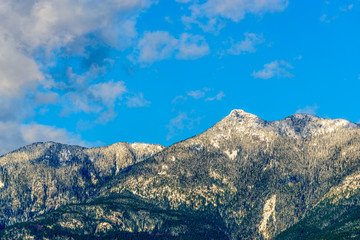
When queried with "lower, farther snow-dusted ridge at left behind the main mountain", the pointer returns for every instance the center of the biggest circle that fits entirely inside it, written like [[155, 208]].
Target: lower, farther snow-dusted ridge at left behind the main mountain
[[43, 176]]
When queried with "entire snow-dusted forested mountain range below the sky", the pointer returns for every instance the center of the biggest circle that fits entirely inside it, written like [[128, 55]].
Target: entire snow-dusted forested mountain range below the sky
[[244, 178]]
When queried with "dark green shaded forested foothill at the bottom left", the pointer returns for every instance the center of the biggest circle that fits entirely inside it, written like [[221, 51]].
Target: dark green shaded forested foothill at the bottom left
[[169, 224]]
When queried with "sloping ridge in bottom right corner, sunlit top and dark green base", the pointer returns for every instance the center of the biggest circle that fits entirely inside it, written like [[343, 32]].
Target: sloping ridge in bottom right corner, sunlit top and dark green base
[[335, 216]]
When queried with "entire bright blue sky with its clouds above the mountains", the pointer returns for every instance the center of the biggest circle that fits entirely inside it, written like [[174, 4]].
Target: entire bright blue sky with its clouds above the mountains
[[98, 72]]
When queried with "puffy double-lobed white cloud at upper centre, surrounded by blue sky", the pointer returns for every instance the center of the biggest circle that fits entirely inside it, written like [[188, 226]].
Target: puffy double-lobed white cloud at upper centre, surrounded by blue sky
[[160, 45]]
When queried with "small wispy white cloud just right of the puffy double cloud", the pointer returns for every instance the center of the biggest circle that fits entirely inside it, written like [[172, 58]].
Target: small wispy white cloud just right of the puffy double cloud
[[247, 45]]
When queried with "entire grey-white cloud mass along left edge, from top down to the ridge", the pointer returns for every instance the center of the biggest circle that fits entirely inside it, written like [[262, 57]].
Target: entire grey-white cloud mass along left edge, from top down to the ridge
[[33, 34]]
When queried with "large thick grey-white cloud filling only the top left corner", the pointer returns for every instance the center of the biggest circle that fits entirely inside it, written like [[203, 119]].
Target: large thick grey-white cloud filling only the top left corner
[[32, 29]]
